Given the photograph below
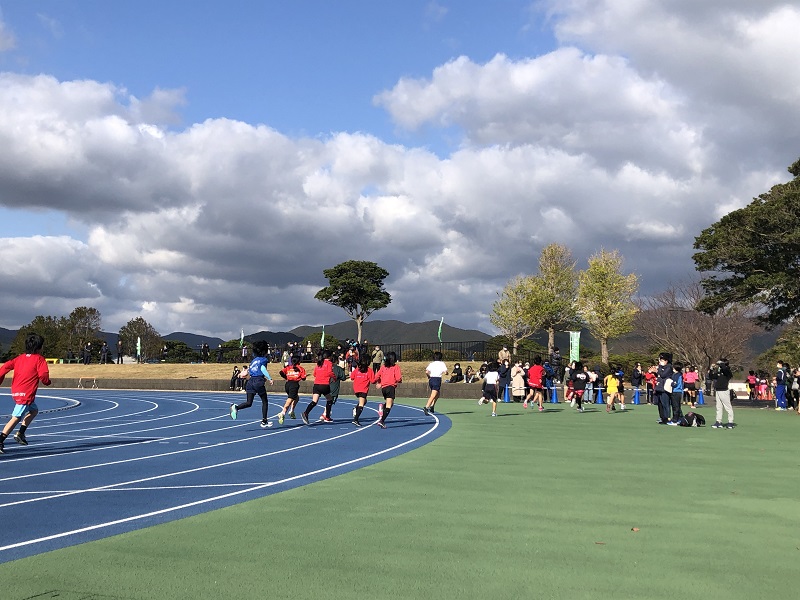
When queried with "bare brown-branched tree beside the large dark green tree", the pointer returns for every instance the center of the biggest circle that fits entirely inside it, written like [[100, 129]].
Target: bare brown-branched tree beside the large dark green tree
[[670, 322]]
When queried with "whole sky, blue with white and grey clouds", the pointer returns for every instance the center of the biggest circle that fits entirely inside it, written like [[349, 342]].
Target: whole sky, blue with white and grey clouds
[[171, 159]]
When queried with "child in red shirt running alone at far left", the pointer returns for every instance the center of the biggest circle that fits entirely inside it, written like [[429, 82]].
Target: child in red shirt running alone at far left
[[29, 370]]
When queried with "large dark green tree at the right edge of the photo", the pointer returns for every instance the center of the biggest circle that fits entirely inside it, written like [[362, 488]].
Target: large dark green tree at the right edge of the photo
[[754, 255]]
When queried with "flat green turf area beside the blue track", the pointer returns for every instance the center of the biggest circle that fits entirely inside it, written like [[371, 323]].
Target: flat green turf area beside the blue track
[[525, 505]]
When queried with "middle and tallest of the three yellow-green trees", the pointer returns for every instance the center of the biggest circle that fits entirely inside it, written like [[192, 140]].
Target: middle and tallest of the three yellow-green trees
[[555, 288]]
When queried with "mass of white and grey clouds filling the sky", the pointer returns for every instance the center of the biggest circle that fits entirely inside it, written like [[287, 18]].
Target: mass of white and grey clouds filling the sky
[[616, 139]]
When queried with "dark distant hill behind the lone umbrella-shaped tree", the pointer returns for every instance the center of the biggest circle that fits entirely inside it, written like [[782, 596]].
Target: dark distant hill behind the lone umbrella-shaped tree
[[396, 332]]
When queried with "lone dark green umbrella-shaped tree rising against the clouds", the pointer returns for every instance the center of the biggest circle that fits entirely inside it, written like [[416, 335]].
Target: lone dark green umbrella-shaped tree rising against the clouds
[[357, 287]]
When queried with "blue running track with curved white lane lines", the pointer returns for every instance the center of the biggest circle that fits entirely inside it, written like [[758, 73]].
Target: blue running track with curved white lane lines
[[103, 462]]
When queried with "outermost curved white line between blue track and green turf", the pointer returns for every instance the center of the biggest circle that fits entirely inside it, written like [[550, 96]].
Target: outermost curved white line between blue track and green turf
[[229, 494]]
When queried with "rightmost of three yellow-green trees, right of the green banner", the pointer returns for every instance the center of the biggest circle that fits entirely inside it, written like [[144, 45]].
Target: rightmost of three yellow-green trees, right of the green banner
[[605, 298]]
